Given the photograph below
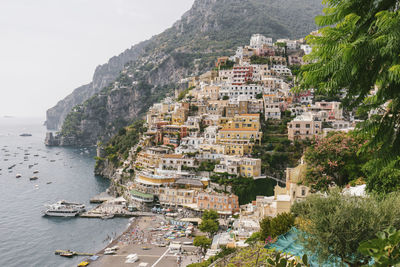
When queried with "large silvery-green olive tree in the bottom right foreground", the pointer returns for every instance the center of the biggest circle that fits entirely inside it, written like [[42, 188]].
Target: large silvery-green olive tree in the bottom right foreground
[[335, 224]]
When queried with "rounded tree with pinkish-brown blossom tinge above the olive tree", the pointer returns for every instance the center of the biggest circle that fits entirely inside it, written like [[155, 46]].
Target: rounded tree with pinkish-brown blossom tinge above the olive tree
[[334, 160]]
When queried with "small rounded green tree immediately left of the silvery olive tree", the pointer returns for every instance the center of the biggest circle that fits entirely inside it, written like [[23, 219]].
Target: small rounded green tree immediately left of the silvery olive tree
[[273, 227]]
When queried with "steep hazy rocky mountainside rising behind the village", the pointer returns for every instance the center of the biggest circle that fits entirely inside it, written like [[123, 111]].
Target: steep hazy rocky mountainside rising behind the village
[[151, 69]]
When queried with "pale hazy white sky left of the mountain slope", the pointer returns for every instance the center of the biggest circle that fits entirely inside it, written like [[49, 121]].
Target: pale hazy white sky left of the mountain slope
[[50, 47]]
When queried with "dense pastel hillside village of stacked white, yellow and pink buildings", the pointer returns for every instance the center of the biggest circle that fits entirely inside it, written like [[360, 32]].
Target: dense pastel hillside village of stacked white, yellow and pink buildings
[[209, 132]]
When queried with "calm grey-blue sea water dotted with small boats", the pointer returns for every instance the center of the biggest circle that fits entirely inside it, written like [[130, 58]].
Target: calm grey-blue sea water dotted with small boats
[[27, 238]]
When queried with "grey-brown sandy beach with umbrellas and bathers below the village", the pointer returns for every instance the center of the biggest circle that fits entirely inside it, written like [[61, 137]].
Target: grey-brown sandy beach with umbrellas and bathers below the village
[[144, 237]]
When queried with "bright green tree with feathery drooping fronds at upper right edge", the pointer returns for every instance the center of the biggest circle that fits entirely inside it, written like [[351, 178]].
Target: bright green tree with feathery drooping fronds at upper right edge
[[357, 52]]
